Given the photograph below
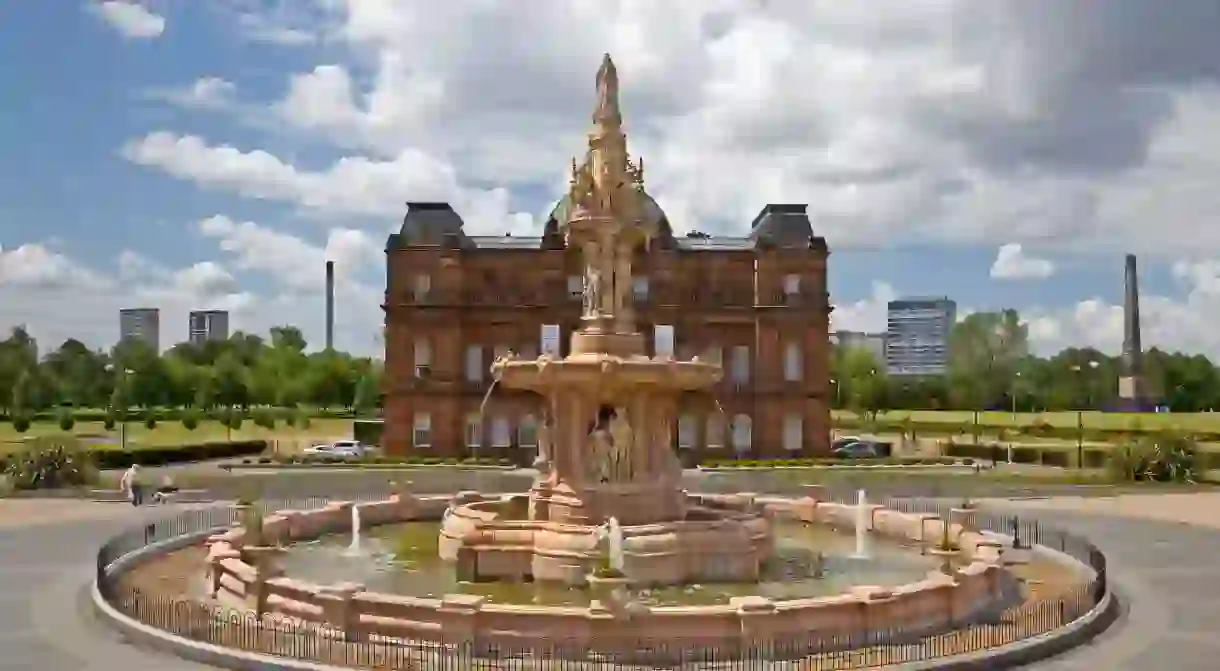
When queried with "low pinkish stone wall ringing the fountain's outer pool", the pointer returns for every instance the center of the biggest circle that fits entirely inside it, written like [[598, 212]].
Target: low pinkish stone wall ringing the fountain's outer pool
[[245, 572]]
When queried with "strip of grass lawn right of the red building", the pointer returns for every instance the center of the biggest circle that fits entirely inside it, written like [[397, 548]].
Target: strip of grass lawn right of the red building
[[1185, 422]]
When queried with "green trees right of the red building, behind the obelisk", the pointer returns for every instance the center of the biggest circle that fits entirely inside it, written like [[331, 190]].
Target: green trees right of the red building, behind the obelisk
[[991, 368]]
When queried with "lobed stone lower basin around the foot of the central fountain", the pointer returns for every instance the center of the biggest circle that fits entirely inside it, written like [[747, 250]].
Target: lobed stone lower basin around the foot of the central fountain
[[492, 540]]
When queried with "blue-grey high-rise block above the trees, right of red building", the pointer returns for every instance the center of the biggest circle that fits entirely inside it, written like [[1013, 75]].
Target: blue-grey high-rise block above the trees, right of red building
[[918, 336]]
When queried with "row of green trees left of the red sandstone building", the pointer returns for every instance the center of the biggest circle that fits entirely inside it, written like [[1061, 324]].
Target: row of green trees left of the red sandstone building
[[242, 371]]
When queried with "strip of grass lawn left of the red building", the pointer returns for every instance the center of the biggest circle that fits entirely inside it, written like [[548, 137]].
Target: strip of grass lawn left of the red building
[[174, 434]]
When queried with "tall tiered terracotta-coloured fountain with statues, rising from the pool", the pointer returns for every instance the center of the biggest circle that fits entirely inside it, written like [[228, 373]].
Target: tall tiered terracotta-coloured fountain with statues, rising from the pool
[[606, 441]]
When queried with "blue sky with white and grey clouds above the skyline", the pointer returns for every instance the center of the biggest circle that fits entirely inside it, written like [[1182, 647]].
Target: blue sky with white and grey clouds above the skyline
[[298, 130]]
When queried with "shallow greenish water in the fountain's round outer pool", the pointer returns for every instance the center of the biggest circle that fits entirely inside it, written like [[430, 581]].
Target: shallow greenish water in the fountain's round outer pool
[[402, 559]]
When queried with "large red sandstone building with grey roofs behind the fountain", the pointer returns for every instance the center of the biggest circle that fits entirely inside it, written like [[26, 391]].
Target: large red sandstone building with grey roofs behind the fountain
[[756, 304]]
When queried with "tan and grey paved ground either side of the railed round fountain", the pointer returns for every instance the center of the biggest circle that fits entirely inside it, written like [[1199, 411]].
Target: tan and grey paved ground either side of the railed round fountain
[[1162, 550]]
